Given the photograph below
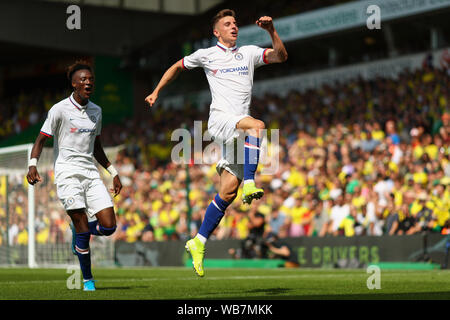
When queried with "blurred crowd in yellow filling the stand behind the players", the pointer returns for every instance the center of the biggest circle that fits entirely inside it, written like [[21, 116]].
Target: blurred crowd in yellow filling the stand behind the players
[[356, 158]]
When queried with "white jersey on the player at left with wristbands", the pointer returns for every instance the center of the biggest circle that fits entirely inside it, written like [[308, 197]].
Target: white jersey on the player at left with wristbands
[[74, 128]]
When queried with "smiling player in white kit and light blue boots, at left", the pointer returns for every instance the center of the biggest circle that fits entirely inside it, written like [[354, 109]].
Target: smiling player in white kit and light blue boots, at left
[[75, 123]]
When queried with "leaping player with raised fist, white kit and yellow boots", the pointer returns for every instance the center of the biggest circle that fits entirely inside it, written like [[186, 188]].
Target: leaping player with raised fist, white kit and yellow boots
[[229, 70]]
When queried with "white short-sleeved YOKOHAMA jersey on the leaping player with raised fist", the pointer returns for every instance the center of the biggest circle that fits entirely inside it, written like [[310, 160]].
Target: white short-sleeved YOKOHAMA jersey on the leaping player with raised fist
[[230, 75]]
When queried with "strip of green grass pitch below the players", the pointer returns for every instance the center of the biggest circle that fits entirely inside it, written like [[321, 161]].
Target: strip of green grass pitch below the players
[[261, 284]]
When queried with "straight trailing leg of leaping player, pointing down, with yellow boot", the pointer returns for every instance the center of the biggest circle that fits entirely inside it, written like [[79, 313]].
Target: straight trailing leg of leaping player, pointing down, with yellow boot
[[228, 188]]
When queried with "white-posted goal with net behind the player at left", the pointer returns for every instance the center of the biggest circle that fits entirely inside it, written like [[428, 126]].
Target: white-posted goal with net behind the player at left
[[34, 227]]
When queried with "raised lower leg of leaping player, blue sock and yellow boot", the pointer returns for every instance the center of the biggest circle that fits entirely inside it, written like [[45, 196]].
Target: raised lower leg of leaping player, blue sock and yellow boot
[[254, 133]]
